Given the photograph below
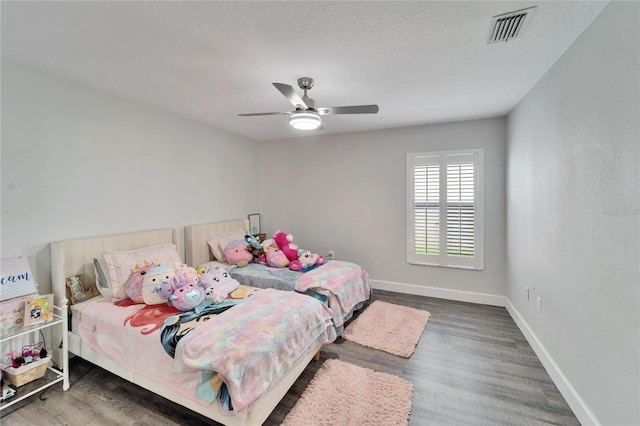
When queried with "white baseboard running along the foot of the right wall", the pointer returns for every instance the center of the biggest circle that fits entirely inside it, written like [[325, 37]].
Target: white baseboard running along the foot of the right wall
[[580, 409]]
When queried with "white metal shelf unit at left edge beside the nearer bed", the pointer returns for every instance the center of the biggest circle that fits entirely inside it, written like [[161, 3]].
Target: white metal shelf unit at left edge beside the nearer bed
[[53, 375]]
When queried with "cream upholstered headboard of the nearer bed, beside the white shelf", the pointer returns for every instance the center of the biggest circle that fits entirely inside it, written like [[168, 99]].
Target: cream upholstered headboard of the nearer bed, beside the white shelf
[[72, 257]]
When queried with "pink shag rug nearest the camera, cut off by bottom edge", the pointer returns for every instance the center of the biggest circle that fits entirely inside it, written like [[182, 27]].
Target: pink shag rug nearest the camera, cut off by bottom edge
[[345, 394]]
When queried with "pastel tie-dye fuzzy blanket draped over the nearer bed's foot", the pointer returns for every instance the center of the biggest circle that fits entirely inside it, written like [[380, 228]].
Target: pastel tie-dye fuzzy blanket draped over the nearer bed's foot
[[252, 345]]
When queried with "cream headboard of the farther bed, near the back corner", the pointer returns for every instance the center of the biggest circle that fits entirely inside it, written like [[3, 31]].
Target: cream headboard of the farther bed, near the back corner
[[197, 249]]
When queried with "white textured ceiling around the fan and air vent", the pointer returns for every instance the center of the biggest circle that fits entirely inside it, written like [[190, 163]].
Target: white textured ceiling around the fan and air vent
[[422, 62]]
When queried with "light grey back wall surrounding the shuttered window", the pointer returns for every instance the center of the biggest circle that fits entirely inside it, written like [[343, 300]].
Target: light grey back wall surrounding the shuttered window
[[347, 193]]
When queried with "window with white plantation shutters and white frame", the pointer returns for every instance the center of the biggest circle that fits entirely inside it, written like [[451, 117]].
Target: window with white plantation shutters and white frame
[[444, 209]]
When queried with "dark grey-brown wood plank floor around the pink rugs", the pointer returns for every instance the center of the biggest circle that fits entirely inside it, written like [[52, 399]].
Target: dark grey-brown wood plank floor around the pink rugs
[[472, 367]]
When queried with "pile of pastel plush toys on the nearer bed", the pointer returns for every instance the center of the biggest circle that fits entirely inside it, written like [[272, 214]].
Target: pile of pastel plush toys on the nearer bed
[[181, 287]]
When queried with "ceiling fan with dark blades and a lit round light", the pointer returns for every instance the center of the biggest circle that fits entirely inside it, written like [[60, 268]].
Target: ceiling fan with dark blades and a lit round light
[[306, 116]]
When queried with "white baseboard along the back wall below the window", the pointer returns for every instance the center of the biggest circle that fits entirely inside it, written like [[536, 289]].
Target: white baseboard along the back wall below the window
[[441, 293]]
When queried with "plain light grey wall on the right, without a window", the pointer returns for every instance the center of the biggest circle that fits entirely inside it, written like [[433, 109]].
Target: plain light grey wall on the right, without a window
[[573, 217]]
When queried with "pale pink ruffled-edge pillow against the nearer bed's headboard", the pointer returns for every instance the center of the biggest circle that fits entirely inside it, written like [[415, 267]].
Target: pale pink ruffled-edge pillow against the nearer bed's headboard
[[121, 263]]
